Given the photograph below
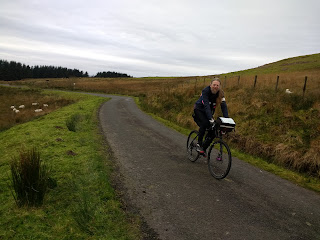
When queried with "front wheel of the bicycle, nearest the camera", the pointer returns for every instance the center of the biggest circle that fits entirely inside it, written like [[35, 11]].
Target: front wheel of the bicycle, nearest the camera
[[219, 159]]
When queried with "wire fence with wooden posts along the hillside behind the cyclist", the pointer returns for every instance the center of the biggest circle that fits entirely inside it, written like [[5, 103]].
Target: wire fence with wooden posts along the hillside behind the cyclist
[[298, 84]]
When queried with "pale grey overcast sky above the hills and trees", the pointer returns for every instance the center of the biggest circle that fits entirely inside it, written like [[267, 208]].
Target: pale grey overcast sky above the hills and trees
[[158, 37]]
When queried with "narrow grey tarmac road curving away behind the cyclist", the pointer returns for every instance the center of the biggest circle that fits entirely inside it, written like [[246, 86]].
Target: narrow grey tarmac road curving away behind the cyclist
[[180, 199]]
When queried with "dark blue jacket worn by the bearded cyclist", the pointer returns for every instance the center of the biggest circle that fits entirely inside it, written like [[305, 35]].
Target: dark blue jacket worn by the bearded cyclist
[[208, 101]]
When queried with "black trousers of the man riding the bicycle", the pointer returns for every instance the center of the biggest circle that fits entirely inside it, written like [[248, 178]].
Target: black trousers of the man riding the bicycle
[[203, 123]]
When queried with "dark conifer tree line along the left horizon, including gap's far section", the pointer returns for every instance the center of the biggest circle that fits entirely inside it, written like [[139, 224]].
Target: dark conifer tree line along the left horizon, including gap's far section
[[12, 70]]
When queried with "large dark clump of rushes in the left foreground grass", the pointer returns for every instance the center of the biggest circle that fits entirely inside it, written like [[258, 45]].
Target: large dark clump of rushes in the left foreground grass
[[29, 178]]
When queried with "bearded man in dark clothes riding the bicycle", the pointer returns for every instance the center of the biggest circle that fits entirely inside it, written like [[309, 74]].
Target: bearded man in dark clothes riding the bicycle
[[204, 109]]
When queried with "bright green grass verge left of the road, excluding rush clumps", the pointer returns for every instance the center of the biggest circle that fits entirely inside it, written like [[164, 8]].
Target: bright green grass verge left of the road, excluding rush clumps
[[83, 205]]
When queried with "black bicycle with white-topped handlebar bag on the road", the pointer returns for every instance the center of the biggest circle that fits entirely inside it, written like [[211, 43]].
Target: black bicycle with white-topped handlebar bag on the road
[[219, 154]]
